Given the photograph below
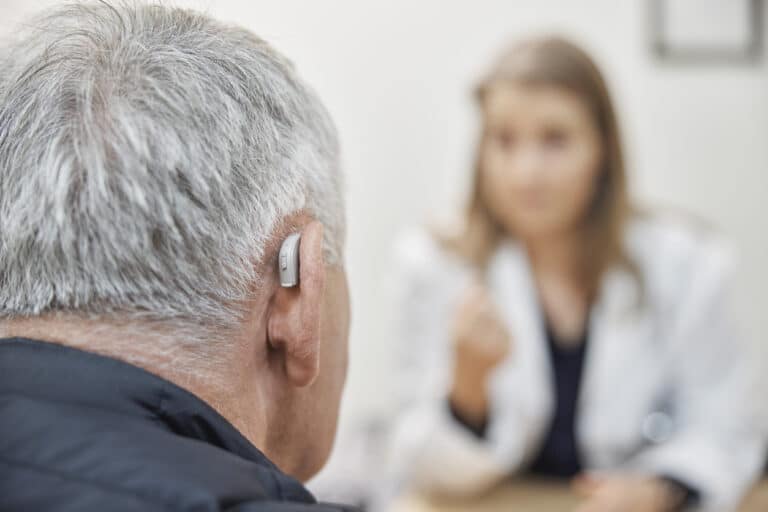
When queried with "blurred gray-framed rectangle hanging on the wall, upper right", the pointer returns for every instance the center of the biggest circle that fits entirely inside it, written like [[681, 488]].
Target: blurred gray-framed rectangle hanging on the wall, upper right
[[707, 31]]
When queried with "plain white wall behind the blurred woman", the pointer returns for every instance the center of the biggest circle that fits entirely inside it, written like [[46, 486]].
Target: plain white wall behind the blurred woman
[[396, 75]]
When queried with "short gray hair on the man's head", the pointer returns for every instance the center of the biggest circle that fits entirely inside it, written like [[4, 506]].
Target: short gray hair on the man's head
[[147, 153]]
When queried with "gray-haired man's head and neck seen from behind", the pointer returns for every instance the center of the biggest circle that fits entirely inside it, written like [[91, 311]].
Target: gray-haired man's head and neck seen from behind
[[152, 160]]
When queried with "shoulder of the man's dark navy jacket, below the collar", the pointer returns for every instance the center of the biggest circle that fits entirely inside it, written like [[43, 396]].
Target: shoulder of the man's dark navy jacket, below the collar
[[64, 457]]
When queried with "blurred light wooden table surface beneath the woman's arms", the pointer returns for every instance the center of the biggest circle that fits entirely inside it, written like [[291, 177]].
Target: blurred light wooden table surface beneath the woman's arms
[[535, 495]]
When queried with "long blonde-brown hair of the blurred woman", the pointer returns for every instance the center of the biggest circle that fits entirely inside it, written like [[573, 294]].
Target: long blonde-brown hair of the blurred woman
[[556, 62]]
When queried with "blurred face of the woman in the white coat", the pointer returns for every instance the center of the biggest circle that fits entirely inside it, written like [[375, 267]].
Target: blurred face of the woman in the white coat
[[540, 158]]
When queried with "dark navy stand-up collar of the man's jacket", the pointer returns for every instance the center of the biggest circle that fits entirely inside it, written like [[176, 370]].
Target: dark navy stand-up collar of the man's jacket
[[67, 375]]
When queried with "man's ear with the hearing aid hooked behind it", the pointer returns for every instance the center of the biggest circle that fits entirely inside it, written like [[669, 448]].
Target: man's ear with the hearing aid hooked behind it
[[293, 324]]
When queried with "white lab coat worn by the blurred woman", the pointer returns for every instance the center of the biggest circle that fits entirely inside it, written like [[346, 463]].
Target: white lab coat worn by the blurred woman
[[669, 389]]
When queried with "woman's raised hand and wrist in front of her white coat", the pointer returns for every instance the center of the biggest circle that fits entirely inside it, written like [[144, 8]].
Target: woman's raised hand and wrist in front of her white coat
[[482, 341]]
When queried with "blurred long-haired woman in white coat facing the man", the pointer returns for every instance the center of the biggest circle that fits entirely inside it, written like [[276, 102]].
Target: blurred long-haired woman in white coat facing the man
[[560, 332]]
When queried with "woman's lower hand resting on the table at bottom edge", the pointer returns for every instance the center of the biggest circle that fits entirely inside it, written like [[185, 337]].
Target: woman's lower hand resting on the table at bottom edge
[[626, 494]]
